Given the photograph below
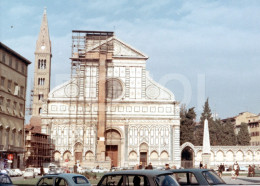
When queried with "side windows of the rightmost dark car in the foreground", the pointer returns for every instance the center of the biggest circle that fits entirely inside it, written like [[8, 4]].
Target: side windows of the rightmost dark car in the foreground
[[186, 178]]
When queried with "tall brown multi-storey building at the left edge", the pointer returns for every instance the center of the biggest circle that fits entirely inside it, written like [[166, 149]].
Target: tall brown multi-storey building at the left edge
[[13, 72]]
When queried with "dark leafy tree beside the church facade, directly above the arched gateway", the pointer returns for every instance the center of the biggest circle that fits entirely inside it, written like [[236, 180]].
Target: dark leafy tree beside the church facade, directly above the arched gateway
[[187, 125]]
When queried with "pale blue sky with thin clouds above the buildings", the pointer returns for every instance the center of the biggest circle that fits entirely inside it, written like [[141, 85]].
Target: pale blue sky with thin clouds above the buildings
[[197, 49]]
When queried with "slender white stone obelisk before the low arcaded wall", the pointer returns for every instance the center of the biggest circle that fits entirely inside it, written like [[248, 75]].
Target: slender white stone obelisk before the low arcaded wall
[[206, 146]]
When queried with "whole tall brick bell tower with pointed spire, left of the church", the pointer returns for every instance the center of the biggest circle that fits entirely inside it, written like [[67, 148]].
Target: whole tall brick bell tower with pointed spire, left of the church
[[42, 67]]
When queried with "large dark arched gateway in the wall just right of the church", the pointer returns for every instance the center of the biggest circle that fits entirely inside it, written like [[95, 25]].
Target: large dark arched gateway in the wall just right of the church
[[187, 157]]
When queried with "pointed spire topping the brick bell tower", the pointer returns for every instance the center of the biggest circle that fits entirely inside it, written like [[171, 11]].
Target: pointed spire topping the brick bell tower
[[43, 44]]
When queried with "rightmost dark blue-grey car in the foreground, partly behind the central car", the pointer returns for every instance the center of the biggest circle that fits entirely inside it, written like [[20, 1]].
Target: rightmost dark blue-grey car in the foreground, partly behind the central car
[[197, 177]]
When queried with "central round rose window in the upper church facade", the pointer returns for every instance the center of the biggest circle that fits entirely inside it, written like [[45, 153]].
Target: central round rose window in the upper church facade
[[114, 89]]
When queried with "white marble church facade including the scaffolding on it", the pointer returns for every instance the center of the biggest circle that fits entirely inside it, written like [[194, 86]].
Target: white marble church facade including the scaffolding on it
[[111, 112]]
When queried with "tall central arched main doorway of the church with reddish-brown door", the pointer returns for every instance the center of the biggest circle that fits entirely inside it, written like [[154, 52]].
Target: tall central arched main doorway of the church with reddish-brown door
[[113, 146]]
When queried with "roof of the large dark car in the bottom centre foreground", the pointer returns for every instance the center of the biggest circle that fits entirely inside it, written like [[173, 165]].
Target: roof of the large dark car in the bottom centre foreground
[[139, 172]]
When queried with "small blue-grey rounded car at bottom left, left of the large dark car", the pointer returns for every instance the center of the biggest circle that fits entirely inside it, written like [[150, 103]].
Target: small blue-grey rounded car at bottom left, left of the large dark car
[[63, 179]]
